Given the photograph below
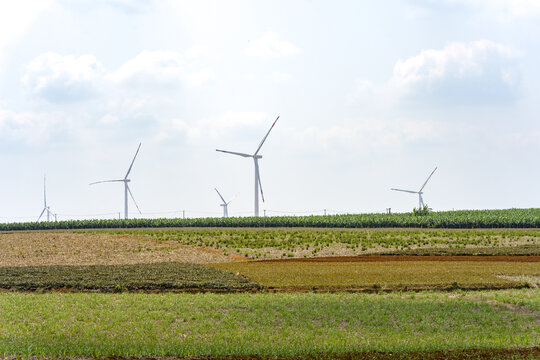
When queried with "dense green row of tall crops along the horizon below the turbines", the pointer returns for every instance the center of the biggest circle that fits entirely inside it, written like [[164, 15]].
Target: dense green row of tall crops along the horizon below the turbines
[[465, 219]]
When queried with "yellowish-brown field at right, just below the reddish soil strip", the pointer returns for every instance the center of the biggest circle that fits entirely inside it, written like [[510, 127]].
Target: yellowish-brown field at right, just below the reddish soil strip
[[390, 274]]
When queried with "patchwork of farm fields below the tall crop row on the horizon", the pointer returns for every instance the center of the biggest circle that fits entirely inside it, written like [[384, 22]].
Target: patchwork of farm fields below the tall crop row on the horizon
[[271, 292]]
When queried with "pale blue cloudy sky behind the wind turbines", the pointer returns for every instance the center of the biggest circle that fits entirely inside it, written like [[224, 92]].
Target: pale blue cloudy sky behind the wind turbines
[[371, 95]]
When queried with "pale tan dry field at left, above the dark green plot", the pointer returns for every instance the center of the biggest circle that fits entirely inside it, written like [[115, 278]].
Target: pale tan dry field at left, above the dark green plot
[[37, 248]]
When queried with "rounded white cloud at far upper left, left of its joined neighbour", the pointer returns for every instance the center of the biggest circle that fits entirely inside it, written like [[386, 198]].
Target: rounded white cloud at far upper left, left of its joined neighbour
[[59, 78]]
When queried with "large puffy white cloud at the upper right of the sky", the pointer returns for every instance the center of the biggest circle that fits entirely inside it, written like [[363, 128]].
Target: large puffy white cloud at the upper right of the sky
[[475, 72]]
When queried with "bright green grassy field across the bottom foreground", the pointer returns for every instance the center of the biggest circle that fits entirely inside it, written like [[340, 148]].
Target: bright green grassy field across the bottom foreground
[[130, 324]]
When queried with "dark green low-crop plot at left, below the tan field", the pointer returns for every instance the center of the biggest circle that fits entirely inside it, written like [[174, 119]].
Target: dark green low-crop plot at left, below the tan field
[[159, 276]]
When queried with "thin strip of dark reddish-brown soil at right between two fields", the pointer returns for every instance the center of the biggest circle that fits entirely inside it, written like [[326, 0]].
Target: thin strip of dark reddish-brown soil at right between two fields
[[385, 258]]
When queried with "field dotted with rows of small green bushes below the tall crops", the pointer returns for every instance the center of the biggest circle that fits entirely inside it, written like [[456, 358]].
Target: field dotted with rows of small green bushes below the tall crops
[[309, 242]]
